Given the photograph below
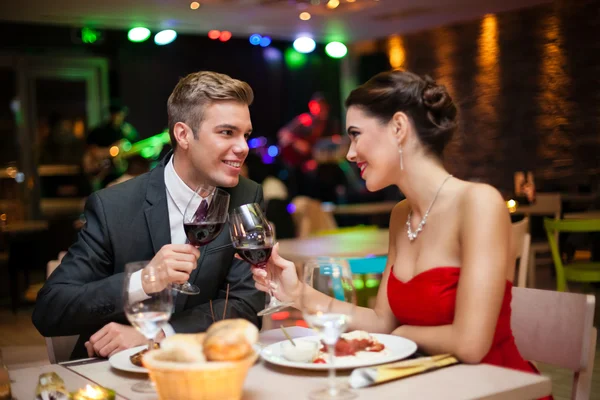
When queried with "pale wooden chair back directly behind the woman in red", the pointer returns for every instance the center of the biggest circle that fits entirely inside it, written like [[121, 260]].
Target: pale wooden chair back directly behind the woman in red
[[557, 328]]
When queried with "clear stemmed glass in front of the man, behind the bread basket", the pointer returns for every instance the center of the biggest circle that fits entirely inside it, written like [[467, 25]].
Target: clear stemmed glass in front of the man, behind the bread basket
[[149, 315]]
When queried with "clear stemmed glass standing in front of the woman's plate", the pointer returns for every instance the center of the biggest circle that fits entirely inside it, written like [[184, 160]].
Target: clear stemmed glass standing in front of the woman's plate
[[332, 277]]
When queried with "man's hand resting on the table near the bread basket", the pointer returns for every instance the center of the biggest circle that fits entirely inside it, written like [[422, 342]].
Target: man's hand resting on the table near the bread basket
[[113, 338]]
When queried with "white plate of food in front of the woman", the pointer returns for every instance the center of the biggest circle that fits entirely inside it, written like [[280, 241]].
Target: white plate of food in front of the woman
[[396, 348]]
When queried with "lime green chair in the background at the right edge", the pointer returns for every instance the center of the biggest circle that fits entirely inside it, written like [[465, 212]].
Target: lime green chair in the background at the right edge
[[576, 271]]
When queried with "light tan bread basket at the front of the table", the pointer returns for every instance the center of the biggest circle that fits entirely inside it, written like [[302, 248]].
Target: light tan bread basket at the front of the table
[[198, 381]]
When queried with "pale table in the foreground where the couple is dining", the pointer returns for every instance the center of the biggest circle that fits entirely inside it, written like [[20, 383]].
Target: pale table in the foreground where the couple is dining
[[267, 382]]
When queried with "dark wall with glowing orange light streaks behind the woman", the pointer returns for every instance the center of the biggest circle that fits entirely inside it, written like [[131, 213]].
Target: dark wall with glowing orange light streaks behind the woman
[[528, 87]]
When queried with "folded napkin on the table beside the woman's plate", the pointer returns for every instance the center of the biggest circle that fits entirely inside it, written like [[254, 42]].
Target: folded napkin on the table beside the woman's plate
[[363, 377]]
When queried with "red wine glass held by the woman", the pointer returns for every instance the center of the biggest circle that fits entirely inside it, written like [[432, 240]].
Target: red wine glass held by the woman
[[253, 238]]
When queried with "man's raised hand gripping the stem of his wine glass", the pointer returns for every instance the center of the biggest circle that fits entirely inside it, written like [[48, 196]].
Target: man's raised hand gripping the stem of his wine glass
[[175, 263]]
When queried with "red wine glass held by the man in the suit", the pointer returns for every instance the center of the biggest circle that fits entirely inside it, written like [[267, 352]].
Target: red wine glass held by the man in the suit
[[203, 220]]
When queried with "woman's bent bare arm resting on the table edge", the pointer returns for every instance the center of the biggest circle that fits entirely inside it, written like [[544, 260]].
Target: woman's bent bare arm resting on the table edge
[[485, 255]]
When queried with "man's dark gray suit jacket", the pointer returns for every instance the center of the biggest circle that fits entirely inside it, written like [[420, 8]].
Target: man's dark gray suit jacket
[[130, 222]]
